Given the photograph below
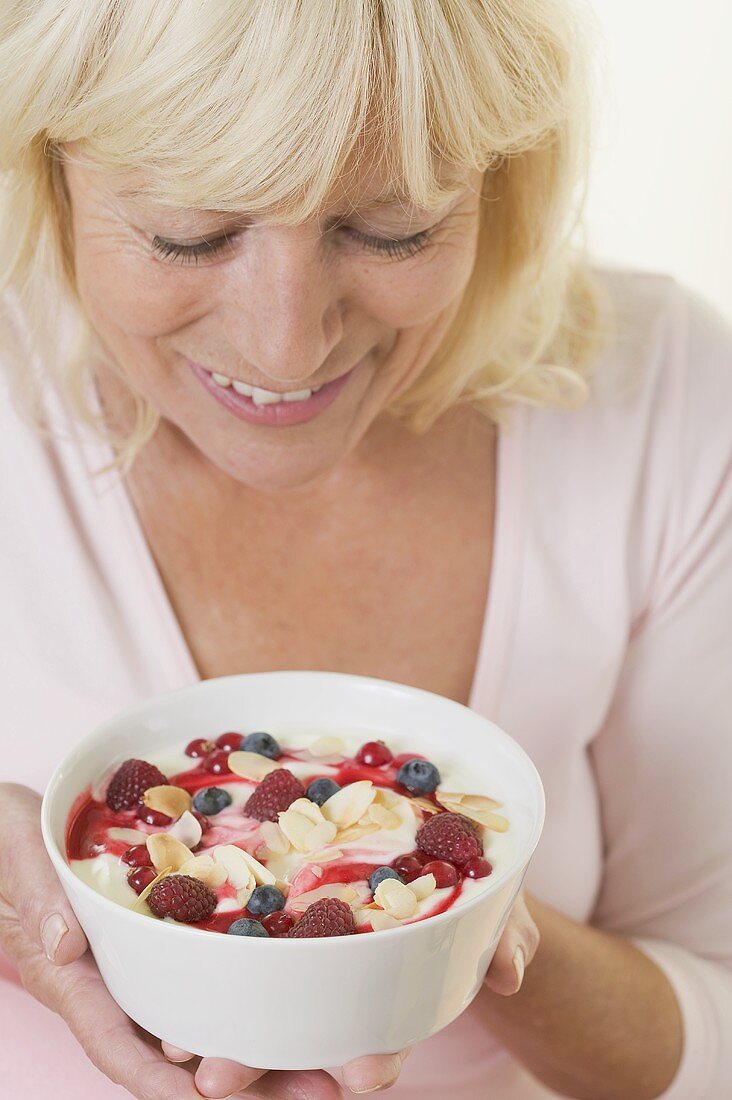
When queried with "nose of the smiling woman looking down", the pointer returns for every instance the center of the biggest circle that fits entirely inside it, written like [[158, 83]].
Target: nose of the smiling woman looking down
[[285, 315]]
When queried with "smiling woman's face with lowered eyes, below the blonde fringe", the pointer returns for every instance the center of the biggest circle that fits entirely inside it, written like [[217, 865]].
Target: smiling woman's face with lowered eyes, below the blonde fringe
[[214, 339]]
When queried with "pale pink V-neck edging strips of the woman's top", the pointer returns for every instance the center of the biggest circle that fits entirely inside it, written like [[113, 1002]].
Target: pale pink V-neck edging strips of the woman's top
[[179, 667]]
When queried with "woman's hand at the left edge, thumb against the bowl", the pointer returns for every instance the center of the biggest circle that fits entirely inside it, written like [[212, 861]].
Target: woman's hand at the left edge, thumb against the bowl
[[41, 936]]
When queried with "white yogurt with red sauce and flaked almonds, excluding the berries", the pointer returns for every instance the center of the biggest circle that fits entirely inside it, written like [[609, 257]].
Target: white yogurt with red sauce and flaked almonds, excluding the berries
[[390, 817]]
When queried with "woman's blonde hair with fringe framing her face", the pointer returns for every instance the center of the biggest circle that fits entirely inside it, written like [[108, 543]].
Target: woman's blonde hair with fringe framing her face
[[252, 105]]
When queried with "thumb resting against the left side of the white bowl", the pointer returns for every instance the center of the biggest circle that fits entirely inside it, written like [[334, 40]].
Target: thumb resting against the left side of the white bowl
[[28, 881]]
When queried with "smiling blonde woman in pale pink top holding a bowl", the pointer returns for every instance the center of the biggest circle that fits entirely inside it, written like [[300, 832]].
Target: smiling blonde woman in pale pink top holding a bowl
[[457, 456]]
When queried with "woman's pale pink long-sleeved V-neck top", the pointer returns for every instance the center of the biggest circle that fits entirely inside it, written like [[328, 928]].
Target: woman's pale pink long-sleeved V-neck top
[[607, 652]]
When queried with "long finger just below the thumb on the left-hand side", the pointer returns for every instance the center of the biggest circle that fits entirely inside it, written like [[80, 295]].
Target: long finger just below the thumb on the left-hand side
[[111, 1040]]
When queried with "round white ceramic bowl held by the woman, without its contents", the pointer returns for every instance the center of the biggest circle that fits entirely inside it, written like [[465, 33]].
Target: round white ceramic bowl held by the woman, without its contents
[[300, 1004]]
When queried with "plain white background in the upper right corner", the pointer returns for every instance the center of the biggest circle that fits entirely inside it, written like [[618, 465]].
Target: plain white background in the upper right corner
[[661, 190]]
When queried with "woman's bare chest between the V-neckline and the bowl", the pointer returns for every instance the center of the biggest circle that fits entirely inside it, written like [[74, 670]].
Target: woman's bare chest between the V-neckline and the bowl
[[395, 585]]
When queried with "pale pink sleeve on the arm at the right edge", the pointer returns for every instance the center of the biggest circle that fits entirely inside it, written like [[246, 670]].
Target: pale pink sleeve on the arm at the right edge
[[663, 758]]
